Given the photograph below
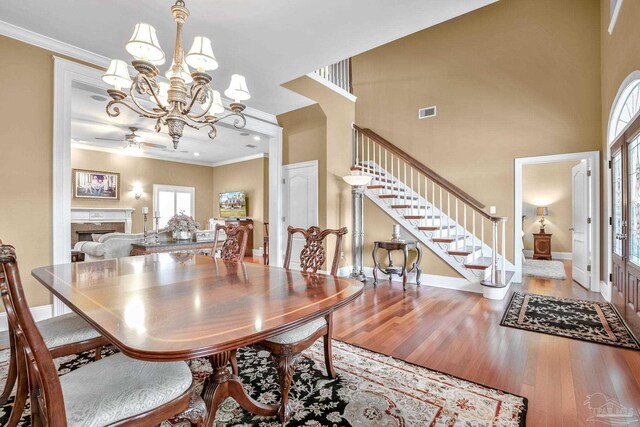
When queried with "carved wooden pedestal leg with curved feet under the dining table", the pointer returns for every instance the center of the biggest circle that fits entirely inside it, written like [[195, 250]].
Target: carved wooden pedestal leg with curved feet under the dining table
[[222, 384]]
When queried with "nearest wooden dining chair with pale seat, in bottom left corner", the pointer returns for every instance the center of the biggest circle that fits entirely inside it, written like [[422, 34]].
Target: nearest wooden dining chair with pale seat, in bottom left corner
[[115, 390]]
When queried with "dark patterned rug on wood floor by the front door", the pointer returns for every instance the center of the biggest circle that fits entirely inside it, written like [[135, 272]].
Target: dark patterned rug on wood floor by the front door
[[597, 322]]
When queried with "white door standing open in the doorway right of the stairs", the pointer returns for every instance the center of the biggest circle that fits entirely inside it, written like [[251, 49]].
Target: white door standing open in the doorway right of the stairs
[[580, 228]]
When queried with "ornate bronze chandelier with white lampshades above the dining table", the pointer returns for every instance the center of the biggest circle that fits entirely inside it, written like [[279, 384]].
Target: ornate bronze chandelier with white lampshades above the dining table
[[184, 98]]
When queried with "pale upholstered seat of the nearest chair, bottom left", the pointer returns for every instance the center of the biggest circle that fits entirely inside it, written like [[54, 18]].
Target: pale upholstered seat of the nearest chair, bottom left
[[117, 387]]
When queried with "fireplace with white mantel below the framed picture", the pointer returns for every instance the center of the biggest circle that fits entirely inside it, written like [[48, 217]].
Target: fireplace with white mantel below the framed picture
[[88, 221]]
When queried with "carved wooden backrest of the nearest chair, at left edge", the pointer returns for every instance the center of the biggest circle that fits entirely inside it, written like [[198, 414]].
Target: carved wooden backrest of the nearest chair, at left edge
[[47, 404]]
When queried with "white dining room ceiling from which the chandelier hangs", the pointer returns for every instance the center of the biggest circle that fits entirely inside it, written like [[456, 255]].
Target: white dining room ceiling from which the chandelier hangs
[[269, 41]]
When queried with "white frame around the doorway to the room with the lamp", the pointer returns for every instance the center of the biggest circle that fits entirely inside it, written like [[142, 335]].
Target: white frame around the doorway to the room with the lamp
[[593, 164]]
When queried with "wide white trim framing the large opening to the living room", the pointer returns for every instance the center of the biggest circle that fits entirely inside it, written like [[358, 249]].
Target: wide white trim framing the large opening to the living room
[[66, 73]]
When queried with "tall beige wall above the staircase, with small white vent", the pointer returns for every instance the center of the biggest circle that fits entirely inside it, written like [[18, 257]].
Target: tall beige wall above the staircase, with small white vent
[[518, 78]]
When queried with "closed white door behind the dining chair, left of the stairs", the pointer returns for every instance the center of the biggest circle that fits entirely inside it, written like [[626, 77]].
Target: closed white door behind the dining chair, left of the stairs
[[300, 203]]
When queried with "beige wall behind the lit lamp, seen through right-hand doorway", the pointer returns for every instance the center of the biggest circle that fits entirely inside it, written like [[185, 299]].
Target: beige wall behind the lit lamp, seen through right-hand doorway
[[548, 184]]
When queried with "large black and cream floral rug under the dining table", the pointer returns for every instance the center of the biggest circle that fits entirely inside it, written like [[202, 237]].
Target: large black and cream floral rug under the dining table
[[371, 390]]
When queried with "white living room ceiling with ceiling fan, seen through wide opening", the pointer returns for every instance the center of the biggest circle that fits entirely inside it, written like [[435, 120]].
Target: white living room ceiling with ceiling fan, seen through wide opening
[[89, 121]]
